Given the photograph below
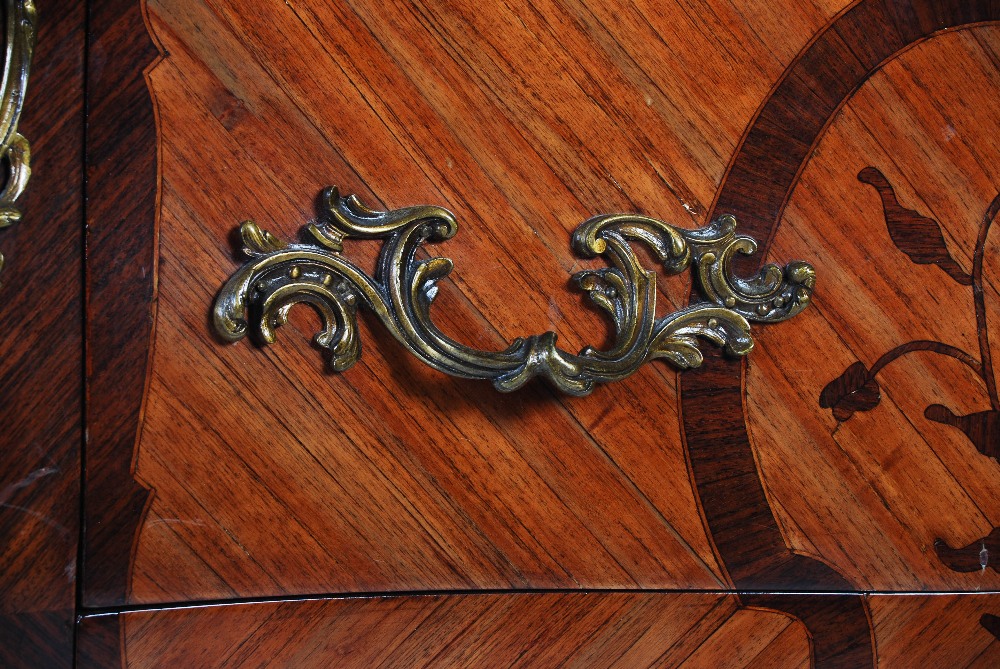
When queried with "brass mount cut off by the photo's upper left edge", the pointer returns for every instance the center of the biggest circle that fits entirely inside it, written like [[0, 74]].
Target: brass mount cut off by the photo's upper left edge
[[20, 45]]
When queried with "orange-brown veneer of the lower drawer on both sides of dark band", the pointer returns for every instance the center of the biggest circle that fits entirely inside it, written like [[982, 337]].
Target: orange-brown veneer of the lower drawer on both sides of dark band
[[541, 630]]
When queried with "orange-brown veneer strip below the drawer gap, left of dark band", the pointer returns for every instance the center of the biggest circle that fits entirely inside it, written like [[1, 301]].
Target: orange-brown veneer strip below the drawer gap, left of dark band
[[539, 630]]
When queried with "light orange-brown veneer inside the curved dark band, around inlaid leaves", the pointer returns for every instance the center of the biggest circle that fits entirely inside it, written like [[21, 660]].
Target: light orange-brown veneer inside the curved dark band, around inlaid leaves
[[892, 480]]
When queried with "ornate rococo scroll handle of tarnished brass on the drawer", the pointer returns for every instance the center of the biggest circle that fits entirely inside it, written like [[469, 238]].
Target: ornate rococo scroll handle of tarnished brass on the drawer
[[279, 275]]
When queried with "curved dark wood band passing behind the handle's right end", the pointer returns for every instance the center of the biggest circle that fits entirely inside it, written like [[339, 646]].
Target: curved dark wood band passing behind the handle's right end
[[756, 189]]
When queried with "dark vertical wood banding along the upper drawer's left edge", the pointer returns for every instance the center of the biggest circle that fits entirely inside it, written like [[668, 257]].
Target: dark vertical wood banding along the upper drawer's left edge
[[122, 185]]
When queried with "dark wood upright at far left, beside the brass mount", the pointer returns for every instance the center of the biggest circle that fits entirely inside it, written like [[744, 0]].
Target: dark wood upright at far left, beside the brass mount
[[41, 371]]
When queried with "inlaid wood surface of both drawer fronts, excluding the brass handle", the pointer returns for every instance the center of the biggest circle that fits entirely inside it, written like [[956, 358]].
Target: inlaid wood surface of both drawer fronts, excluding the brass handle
[[853, 451]]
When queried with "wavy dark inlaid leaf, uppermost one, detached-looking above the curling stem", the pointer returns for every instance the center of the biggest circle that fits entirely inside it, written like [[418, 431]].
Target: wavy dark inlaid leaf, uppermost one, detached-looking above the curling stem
[[917, 236]]
